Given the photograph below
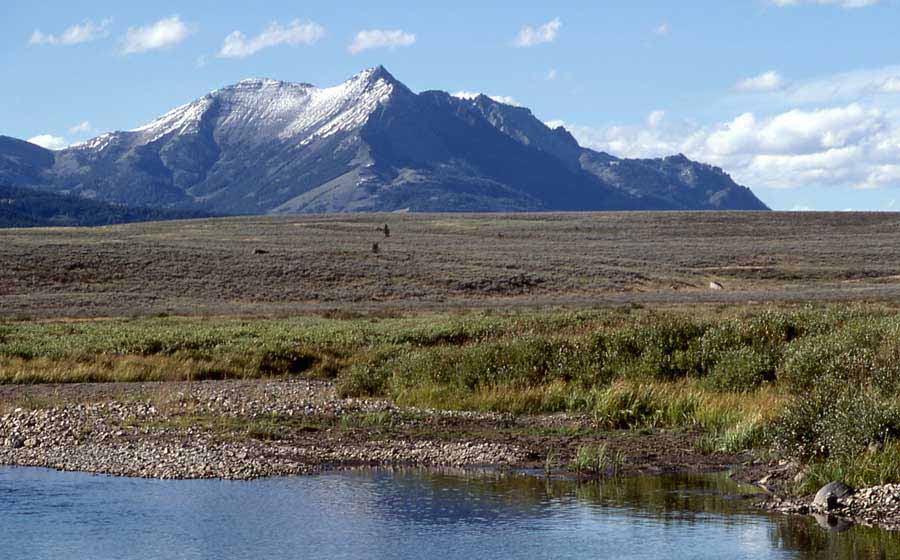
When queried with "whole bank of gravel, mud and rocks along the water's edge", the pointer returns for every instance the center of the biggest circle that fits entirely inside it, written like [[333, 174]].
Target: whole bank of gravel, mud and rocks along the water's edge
[[244, 430]]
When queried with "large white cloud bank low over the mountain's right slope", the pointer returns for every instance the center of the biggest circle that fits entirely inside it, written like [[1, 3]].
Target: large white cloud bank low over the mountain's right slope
[[845, 146]]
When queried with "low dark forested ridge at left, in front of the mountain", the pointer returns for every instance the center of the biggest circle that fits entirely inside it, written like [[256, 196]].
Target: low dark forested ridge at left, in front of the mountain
[[25, 207]]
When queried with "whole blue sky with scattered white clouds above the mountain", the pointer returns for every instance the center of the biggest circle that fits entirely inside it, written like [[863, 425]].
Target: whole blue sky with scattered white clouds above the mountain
[[797, 99]]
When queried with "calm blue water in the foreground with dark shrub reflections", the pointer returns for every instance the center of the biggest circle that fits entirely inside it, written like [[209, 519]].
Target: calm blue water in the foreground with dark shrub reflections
[[45, 514]]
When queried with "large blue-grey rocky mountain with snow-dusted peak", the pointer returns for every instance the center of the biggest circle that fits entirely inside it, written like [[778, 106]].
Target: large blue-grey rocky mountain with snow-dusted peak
[[368, 144]]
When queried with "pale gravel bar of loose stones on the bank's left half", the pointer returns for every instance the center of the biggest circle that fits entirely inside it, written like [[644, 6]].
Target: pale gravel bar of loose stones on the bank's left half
[[171, 438]]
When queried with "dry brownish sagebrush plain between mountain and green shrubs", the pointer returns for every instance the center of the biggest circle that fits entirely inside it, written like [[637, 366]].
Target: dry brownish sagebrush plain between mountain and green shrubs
[[279, 266]]
